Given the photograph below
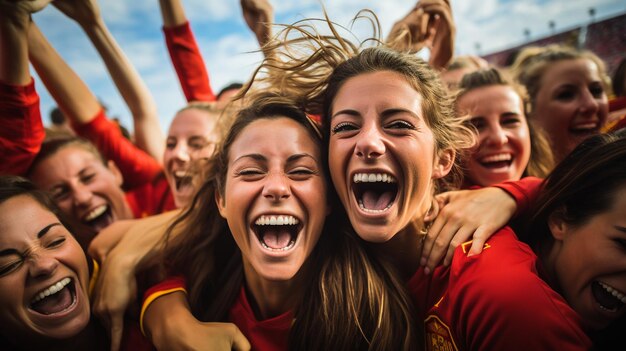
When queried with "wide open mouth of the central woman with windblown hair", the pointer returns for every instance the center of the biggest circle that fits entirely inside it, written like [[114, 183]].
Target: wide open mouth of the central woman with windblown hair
[[375, 192]]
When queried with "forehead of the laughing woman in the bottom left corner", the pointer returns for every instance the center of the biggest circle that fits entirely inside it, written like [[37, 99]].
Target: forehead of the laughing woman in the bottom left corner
[[22, 217]]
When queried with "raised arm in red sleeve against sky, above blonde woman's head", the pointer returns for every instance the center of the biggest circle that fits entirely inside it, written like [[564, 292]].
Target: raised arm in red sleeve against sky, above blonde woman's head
[[184, 52]]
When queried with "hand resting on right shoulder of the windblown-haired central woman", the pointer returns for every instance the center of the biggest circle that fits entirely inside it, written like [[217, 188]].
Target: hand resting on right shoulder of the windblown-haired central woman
[[465, 214]]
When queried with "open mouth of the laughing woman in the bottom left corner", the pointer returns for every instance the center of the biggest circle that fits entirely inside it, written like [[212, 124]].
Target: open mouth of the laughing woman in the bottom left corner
[[57, 298]]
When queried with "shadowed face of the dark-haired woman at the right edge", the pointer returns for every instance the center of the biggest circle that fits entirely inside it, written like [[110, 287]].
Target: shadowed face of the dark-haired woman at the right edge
[[601, 242]]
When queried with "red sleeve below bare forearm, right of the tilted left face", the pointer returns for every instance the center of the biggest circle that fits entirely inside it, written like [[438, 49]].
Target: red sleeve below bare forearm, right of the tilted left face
[[137, 167]]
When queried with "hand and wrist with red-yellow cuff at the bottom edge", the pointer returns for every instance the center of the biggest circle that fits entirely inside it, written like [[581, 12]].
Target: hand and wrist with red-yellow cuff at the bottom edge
[[171, 326]]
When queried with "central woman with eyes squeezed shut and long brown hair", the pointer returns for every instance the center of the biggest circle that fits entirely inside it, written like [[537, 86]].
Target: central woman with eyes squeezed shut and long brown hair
[[284, 284]]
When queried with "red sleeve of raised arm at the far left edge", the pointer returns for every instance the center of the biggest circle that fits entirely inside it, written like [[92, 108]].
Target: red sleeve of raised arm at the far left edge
[[22, 131]]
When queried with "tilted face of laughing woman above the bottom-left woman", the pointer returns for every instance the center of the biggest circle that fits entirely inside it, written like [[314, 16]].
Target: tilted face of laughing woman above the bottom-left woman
[[80, 183]]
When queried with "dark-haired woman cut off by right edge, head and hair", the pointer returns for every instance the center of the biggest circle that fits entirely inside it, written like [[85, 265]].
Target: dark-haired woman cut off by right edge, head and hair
[[578, 230]]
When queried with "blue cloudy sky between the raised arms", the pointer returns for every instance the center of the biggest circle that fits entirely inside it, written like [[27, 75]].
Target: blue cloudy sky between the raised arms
[[227, 45]]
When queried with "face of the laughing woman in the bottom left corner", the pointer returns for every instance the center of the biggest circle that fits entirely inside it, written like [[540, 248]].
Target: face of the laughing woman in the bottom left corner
[[36, 251]]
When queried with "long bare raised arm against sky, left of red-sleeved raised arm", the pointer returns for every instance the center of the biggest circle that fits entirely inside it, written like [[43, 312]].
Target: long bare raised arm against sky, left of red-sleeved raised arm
[[147, 130]]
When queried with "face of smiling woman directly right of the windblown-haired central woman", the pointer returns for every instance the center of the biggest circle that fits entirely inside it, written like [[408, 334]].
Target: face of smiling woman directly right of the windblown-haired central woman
[[497, 113]]
